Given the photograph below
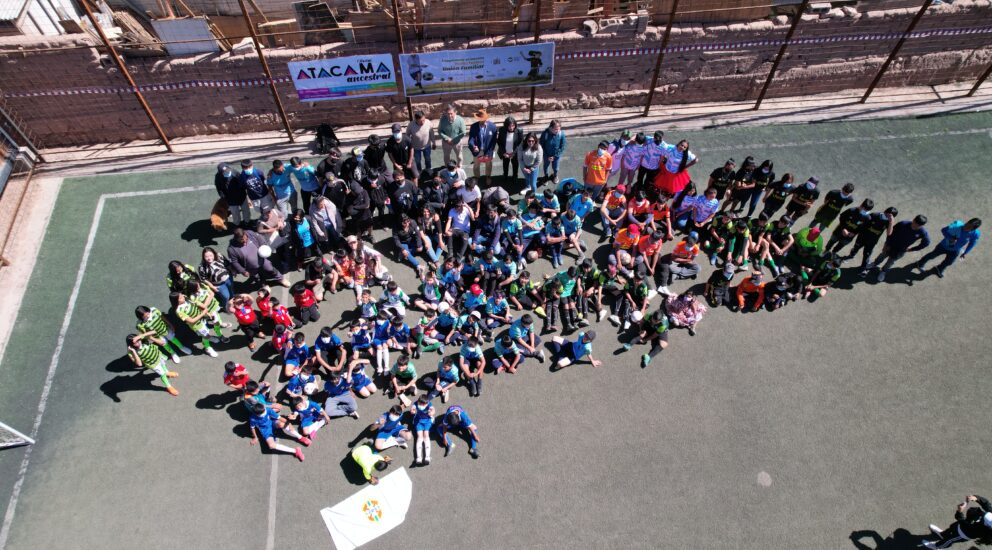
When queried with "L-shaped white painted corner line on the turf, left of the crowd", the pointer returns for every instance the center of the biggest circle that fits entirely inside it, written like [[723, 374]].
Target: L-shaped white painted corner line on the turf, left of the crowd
[[60, 342]]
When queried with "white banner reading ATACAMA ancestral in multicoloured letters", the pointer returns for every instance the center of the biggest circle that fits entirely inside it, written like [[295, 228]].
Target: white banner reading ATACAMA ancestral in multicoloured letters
[[344, 77]]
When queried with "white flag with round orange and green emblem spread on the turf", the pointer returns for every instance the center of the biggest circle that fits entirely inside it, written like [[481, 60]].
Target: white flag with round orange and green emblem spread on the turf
[[371, 512]]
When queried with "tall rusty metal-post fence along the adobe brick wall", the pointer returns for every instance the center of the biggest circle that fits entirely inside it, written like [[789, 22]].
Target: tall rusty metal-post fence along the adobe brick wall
[[645, 47]]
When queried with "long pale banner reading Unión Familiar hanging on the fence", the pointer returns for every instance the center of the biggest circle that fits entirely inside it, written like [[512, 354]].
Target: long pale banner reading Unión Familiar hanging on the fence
[[477, 69]]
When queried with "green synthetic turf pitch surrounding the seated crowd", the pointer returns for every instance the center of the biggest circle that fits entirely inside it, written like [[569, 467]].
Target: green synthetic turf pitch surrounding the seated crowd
[[859, 416]]
